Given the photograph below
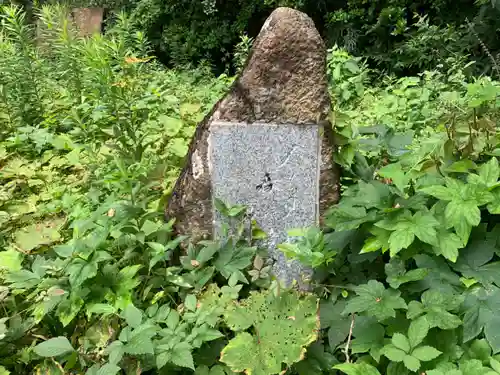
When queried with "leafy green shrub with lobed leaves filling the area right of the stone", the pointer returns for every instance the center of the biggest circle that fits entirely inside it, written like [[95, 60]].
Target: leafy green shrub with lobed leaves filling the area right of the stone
[[413, 286]]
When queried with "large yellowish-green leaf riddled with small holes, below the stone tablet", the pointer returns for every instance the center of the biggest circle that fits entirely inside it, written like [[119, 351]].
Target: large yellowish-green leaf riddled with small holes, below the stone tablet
[[286, 324]]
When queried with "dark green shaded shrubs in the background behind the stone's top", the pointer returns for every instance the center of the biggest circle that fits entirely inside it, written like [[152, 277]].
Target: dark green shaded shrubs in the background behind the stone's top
[[397, 36]]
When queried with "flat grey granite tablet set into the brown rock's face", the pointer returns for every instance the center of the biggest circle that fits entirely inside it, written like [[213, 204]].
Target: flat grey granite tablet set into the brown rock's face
[[274, 171]]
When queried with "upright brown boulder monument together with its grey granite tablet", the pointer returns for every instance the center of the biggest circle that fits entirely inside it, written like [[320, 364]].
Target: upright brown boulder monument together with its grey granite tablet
[[267, 143]]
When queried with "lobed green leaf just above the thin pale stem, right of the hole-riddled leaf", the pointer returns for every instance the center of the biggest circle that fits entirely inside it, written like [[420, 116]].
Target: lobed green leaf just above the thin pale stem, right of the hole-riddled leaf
[[375, 300]]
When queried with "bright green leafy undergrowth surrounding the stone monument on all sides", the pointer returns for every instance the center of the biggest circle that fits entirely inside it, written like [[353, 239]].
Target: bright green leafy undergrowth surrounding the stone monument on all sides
[[92, 281]]
